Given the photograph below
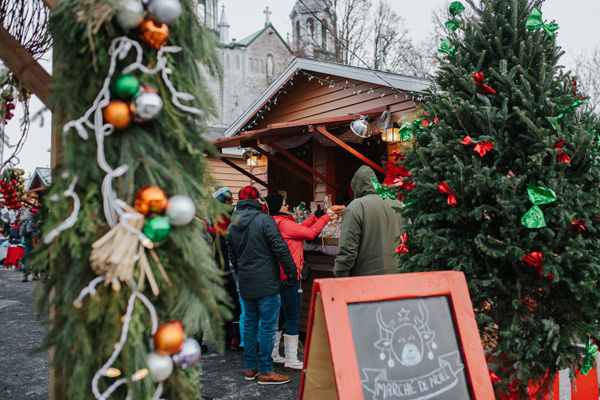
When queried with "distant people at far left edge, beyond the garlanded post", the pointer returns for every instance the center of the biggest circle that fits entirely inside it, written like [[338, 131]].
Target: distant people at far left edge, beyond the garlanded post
[[18, 239]]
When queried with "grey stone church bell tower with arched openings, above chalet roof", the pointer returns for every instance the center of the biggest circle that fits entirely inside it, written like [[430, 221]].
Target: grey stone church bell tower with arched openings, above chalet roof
[[309, 37]]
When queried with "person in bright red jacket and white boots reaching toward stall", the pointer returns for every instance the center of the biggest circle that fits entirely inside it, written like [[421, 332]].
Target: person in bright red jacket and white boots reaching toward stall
[[291, 298]]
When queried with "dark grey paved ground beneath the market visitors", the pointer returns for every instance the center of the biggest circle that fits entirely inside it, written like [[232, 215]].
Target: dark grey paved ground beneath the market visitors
[[24, 377]]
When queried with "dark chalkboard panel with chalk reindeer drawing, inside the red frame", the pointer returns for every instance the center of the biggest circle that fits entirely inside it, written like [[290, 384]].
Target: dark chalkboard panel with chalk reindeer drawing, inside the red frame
[[408, 349]]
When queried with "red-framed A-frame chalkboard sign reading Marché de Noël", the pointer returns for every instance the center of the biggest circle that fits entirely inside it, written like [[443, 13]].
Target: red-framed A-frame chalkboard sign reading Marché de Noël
[[388, 337]]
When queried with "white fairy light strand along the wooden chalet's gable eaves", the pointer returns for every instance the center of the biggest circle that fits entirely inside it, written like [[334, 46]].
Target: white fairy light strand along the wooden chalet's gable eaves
[[414, 95]]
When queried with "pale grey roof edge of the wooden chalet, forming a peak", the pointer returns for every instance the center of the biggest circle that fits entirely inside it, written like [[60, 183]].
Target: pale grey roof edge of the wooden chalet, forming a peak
[[403, 83]]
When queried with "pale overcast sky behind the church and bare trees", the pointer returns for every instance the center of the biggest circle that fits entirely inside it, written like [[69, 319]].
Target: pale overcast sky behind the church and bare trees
[[578, 20]]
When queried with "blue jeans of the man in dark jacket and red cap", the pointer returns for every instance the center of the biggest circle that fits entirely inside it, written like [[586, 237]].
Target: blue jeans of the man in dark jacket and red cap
[[265, 310]]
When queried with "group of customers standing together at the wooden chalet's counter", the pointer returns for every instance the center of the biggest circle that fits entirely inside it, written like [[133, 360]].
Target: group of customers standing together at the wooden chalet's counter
[[260, 246]]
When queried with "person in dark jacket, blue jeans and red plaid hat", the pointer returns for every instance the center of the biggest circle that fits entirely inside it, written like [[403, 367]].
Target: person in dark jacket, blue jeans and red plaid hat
[[256, 249]]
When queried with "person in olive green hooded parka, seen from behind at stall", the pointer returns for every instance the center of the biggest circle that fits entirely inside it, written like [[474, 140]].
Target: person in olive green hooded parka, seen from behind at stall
[[370, 230]]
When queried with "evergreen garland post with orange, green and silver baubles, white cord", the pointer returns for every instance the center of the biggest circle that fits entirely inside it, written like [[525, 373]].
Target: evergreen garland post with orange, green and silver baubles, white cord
[[130, 288]]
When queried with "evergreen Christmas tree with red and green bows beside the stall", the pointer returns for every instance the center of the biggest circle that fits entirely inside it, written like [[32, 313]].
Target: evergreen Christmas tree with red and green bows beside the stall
[[507, 178]]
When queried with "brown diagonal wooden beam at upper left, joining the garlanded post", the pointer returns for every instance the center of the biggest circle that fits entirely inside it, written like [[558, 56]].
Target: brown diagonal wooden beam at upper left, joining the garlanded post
[[24, 66]]
